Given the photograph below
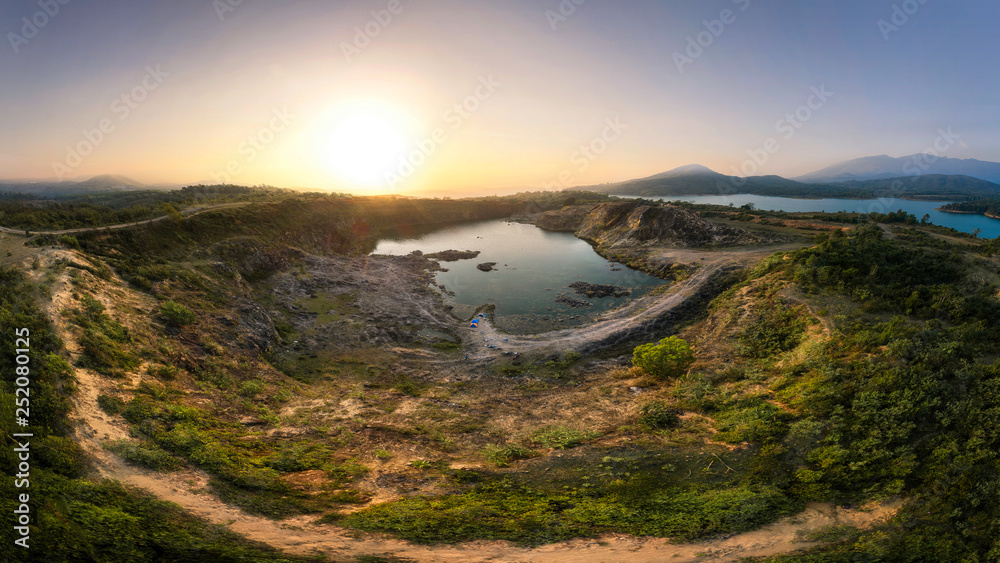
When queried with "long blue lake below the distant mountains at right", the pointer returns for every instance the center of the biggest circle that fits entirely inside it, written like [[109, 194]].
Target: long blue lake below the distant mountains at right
[[960, 221]]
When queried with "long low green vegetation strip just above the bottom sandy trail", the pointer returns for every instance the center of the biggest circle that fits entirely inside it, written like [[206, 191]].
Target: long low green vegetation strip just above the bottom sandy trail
[[503, 511]]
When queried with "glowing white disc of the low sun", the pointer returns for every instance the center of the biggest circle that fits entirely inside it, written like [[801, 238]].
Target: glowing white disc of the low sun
[[363, 148]]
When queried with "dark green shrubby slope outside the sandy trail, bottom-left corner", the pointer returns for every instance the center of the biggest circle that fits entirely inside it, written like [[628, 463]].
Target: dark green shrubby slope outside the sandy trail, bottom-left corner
[[76, 519]]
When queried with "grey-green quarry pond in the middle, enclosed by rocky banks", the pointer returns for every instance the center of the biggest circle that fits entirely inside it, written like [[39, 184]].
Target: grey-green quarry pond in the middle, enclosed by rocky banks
[[533, 268]]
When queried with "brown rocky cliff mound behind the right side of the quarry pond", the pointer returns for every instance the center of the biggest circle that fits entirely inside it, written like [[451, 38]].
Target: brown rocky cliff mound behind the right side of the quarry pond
[[634, 224]]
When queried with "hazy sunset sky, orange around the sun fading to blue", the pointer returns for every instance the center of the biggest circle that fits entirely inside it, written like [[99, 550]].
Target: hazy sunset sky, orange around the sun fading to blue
[[477, 96]]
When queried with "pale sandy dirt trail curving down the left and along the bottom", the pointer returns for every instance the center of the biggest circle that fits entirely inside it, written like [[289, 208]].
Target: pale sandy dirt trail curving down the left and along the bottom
[[302, 536]]
